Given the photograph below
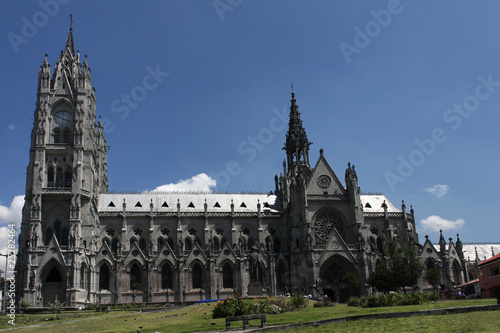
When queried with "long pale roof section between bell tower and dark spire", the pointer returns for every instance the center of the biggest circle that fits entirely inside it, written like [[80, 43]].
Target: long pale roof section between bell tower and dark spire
[[189, 202]]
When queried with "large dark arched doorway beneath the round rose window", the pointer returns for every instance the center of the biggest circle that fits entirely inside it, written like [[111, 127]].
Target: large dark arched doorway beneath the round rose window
[[339, 279]]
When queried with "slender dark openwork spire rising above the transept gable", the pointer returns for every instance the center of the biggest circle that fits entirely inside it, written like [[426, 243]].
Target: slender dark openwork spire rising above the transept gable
[[296, 145]]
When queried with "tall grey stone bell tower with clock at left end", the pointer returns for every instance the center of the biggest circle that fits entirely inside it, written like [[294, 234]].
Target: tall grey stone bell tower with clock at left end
[[65, 175]]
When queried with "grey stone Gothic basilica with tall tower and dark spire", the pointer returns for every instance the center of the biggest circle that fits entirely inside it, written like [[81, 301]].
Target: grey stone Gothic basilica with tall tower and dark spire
[[82, 244]]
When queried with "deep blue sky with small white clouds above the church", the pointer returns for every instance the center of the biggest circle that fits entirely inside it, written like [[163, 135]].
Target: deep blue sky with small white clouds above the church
[[408, 91]]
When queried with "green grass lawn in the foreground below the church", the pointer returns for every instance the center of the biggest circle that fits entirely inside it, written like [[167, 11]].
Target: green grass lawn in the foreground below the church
[[199, 318]]
